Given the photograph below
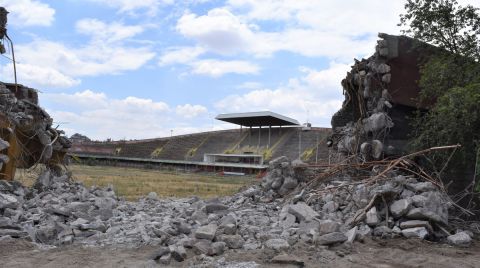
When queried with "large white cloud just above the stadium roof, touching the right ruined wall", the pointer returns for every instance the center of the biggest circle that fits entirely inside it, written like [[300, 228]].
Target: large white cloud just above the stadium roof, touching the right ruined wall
[[317, 93]]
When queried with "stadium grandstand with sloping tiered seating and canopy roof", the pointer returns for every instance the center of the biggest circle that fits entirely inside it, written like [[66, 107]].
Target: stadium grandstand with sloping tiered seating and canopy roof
[[260, 137]]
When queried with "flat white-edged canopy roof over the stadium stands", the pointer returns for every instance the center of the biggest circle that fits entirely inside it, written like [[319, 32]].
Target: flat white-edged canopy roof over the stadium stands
[[256, 119]]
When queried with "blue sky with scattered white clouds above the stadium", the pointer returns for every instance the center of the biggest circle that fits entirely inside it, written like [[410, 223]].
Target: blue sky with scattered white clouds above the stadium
[[124, 69]]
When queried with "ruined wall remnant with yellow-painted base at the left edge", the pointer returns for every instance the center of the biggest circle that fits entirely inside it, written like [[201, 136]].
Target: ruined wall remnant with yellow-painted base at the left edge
[[27, 136]]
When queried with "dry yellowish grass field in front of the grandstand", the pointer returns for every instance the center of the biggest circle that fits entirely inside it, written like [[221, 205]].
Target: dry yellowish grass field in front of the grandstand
[[133, 183]]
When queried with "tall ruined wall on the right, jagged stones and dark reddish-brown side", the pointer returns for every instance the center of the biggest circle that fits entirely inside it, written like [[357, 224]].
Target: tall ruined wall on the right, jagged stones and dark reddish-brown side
[[380, 94]]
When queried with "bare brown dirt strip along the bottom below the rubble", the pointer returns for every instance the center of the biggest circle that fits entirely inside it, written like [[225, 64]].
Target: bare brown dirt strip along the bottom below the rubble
[[379, 253]]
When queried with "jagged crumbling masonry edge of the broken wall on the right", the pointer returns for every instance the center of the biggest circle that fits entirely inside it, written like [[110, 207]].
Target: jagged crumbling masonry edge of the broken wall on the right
[[363, 123]]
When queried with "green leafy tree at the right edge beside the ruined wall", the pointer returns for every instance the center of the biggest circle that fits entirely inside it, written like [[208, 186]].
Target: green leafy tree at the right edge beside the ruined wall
[[451, 76]]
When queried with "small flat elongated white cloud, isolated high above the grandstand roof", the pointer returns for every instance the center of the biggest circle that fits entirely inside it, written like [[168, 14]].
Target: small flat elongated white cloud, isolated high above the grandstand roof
[[217, 68]]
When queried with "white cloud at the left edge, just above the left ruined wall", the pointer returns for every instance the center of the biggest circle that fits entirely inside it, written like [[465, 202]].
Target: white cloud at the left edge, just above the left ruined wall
[[35, 76]]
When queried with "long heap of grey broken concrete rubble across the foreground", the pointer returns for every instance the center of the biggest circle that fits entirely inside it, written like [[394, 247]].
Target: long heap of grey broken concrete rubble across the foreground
[[57, 211]]
